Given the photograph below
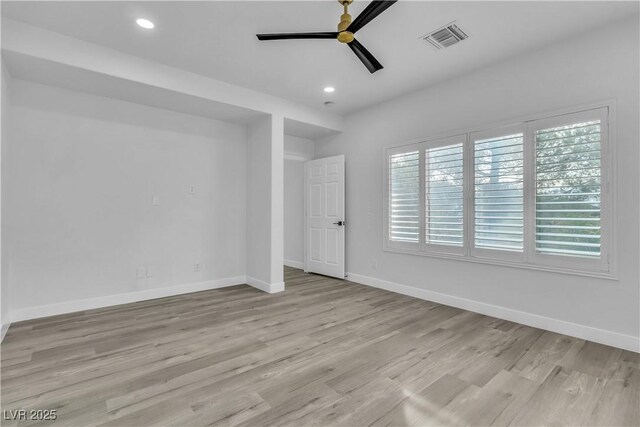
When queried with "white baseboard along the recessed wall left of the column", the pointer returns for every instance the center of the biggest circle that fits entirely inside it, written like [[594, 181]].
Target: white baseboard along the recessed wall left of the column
[[110, 300]]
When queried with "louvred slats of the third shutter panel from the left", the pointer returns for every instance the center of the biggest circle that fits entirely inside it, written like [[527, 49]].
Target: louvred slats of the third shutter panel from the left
[[498, 193]]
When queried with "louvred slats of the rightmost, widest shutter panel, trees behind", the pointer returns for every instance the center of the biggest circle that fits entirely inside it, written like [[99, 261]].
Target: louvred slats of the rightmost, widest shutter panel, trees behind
[[568, 189]]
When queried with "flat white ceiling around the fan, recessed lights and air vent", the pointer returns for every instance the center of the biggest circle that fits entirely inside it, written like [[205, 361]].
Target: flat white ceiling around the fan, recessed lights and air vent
[[217, 39]]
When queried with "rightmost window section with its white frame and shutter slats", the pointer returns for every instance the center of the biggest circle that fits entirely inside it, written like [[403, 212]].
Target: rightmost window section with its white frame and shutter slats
[[572, 208]]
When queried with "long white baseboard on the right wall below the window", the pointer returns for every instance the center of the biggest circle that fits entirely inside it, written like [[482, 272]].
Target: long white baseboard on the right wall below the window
[[589, 333]]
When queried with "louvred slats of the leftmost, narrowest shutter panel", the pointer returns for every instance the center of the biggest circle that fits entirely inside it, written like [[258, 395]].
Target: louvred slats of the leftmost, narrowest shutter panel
[[404, 197]]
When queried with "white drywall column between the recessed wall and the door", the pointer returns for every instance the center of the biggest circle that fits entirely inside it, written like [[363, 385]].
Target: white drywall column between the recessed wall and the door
[[265, 200]]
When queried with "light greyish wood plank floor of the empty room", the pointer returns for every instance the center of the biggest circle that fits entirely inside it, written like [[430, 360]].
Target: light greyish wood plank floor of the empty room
[[324, 352]]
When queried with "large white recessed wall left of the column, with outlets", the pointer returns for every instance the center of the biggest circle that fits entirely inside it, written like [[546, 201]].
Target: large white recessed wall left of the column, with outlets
[[83, 171]]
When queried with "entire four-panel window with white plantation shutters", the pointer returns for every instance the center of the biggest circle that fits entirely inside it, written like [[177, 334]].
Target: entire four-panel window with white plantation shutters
[[534, 194]]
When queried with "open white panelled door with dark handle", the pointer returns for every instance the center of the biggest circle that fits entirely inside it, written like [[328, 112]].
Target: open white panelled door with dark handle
[[324, 216]]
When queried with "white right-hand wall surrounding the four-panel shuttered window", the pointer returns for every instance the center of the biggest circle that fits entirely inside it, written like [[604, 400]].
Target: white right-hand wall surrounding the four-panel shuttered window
[[600, 65]]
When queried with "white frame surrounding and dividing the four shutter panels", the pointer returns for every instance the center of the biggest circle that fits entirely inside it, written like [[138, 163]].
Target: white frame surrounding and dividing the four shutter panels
[[603, 267]]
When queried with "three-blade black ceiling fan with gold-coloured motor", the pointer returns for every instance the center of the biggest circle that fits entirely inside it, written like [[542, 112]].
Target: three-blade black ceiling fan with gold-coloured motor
[[346, 31]]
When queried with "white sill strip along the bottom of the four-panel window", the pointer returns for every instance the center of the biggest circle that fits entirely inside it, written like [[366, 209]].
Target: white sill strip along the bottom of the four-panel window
[[586, 273]]
